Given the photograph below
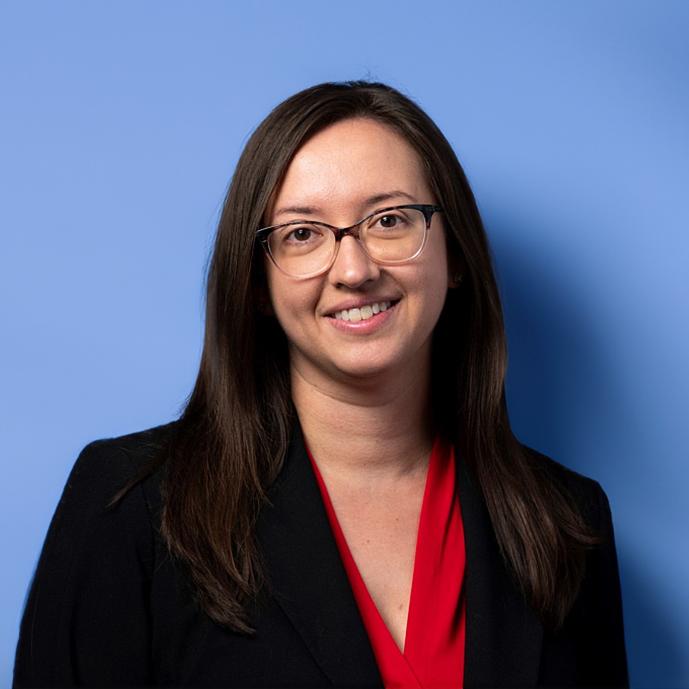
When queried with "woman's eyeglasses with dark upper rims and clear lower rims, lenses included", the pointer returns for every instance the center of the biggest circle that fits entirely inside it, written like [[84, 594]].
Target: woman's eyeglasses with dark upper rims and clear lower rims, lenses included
[[389, 236]]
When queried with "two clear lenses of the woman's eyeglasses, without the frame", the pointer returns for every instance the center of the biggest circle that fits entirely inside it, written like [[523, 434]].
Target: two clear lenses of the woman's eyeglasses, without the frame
[[391, 236]]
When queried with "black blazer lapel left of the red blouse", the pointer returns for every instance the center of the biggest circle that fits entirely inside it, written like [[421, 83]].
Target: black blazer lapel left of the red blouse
[[307, 578]]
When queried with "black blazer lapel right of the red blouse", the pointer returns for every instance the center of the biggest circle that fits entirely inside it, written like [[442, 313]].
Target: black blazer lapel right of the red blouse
[[503, 635]]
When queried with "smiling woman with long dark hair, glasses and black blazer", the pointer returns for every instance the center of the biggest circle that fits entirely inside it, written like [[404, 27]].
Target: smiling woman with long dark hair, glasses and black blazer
[[342, 501]]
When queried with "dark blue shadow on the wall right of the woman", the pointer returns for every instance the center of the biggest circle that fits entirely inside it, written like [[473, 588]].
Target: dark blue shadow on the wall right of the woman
[[566, 398]]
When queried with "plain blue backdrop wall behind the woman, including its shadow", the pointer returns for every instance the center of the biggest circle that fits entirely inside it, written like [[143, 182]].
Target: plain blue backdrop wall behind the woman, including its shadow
[[121, 125]]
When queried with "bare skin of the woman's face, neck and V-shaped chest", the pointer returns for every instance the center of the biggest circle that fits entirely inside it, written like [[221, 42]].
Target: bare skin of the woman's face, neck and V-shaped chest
[[362, 394]]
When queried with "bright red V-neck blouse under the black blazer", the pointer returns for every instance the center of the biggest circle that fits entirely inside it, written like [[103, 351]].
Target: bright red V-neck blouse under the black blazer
[[433, 656]]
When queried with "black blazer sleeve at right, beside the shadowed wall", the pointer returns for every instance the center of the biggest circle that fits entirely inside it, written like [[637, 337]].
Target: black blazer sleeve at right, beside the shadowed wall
[[604, 654]]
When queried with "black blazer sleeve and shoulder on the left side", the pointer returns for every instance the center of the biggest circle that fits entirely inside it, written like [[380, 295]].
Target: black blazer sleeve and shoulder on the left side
[[86, 620]]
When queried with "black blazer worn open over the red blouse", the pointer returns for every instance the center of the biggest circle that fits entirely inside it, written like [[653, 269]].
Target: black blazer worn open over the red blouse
[[109, 607]]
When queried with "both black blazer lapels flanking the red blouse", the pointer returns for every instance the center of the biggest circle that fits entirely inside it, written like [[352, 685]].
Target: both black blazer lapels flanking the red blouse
[[308, 580]]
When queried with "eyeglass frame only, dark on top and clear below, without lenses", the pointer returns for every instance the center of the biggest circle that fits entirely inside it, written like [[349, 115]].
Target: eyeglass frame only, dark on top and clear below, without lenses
[[428, 209]]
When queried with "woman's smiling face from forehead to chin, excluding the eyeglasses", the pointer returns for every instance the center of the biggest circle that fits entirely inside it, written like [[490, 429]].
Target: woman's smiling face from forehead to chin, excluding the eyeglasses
[[334, 174]]
